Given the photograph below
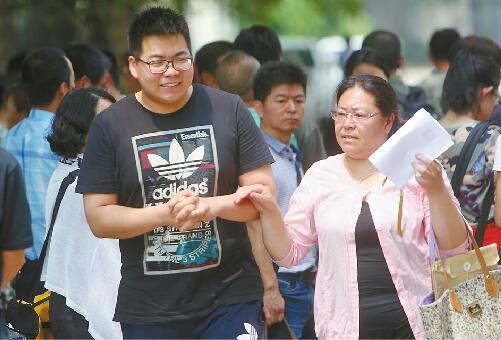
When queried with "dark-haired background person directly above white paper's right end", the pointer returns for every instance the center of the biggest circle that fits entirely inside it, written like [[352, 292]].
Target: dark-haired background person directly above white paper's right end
[[442, 44]]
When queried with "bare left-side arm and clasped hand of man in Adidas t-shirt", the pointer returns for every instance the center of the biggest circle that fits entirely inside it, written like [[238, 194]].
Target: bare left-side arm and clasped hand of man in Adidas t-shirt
[[107, 219]]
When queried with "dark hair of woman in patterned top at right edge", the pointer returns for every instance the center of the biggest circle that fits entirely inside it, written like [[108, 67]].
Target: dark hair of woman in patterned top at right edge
[[466, 75]]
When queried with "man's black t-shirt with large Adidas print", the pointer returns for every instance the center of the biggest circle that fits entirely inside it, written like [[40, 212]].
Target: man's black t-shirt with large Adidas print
[[144, 157]]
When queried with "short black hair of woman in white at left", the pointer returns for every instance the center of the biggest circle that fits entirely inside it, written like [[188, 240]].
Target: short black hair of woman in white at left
[[73, 119]]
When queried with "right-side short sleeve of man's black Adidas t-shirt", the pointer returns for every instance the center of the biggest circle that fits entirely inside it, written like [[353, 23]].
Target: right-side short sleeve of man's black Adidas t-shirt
[[252, 149]]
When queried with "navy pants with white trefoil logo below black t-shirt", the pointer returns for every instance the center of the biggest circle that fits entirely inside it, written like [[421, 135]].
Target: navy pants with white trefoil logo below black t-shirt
[[228, 322]]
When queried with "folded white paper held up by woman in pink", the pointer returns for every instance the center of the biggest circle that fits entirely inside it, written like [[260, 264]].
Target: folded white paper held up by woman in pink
[[420, 134]]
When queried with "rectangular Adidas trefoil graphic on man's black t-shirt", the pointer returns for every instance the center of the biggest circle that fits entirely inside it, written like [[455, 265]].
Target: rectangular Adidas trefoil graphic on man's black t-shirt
[[168, 162]]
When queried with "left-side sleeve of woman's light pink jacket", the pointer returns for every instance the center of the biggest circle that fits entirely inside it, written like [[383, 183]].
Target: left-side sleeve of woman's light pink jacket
[[300, 223]]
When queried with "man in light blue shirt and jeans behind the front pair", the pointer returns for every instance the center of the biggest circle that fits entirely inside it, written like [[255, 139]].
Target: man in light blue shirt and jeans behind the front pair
[[280, 94]]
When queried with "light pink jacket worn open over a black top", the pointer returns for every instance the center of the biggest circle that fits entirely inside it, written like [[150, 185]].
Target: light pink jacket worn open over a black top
[[324, 209]]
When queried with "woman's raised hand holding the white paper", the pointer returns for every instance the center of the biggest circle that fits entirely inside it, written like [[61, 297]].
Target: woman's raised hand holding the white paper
[[429, 174]]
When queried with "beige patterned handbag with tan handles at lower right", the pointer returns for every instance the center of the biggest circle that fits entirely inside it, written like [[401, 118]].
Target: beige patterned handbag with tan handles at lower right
[[470, 309]]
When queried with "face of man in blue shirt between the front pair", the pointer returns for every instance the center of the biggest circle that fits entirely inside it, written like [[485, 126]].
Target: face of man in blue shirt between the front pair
[[282, 111]]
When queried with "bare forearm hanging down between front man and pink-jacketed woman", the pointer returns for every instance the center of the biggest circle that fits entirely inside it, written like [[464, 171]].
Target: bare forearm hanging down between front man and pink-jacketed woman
[[273, 302]]
